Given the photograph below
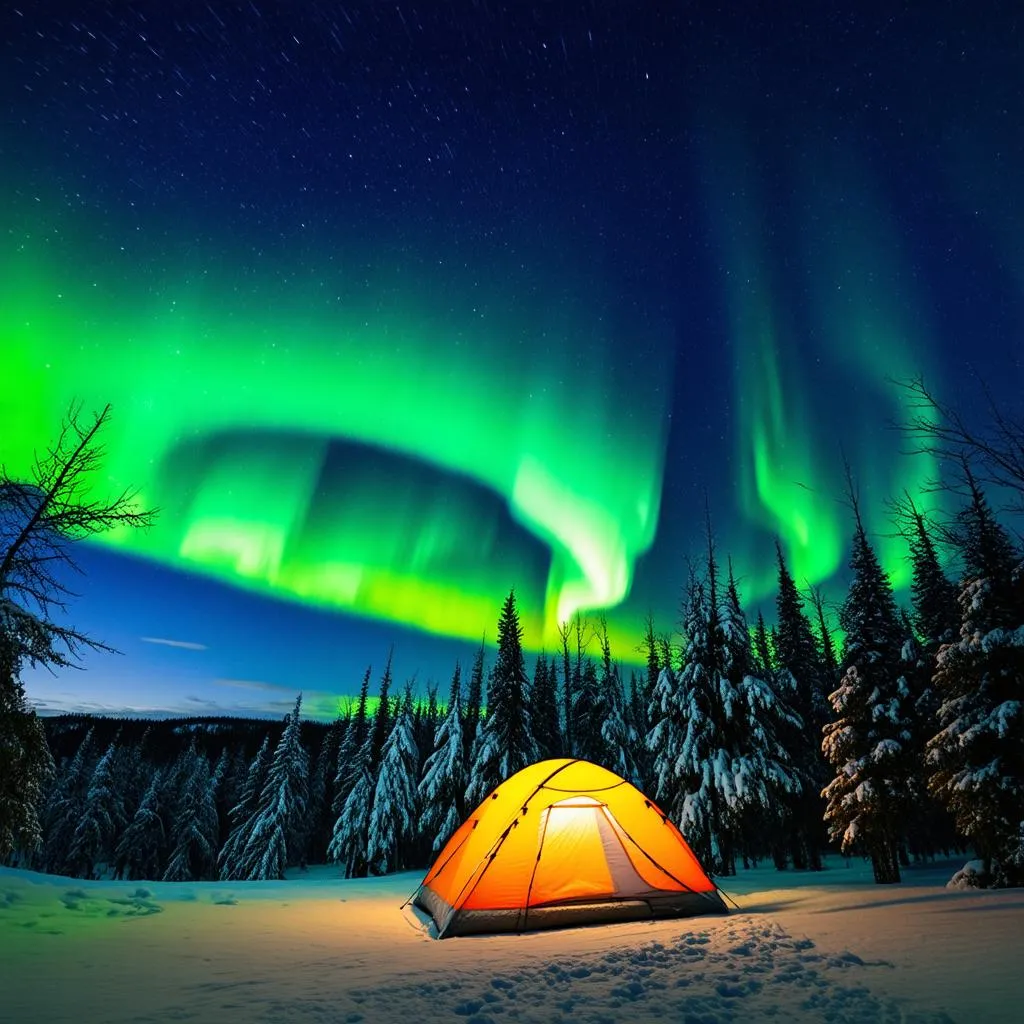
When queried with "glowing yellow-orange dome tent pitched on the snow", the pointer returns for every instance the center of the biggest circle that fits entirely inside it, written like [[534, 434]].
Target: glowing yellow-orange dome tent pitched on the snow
[[562, 843]]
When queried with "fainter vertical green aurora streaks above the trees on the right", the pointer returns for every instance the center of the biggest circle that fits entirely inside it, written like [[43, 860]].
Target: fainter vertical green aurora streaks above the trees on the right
[[816, 377]]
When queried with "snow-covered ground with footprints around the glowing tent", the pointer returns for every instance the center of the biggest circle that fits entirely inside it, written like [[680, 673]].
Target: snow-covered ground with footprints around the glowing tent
[[829, 948]]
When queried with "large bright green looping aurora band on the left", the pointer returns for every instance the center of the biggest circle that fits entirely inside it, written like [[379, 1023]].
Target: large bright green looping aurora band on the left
[[226, 416]]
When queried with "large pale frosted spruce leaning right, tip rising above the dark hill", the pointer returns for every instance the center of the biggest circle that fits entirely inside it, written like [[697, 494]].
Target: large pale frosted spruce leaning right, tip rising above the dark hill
[[275, 840]]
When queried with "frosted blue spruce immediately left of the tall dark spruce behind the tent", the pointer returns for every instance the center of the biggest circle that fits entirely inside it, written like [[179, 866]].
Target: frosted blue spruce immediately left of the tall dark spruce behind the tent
[[443, 788]]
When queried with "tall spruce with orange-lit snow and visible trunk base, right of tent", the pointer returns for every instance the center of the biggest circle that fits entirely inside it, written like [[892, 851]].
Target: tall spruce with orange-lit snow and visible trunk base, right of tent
[[869, 743]]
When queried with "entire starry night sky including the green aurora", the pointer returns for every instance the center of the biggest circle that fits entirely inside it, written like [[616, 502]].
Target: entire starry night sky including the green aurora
[[399, 306]]
